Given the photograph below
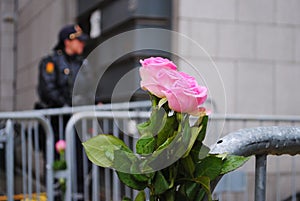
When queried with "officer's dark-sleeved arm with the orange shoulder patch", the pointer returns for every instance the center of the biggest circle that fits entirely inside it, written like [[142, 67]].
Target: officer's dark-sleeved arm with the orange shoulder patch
[[48, 89]]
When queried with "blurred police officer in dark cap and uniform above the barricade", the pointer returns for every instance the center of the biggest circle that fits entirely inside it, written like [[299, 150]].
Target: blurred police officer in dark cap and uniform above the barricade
[[57, 72]]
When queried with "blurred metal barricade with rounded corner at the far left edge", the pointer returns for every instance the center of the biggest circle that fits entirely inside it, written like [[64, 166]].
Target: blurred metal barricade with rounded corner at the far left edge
[[24, 172]]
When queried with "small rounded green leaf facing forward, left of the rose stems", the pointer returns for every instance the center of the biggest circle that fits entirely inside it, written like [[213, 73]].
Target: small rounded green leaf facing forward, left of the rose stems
[[145, 145]]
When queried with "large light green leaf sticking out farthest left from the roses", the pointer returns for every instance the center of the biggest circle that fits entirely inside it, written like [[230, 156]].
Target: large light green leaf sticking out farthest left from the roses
[[100, 149]]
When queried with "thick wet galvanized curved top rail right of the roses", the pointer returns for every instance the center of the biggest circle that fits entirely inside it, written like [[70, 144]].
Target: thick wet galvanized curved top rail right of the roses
[[273, 140]]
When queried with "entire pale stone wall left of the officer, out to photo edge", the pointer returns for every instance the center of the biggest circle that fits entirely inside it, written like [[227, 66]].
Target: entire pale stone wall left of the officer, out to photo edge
[[28, 32]]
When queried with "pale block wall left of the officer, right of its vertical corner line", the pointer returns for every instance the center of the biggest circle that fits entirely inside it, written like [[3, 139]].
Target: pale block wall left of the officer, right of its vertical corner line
[[38, 25]]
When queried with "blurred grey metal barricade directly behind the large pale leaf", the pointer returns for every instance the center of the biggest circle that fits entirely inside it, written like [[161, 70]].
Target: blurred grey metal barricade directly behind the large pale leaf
[[115, 122]]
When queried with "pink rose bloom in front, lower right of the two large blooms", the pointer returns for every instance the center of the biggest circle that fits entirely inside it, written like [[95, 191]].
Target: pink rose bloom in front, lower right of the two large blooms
[[186, 96]]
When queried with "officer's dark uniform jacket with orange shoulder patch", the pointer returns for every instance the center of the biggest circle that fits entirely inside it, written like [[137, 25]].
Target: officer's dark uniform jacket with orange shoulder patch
[[57, 73]]
